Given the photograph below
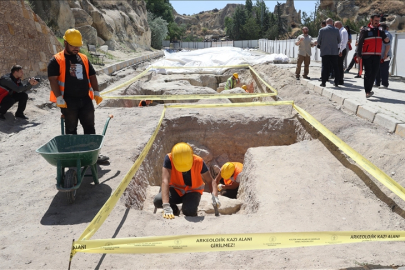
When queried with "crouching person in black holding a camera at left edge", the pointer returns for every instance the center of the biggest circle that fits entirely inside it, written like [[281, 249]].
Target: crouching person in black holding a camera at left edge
[[12, 90]]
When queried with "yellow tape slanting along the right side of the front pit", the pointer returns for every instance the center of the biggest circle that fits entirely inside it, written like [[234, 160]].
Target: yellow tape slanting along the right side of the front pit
[[359, 159]]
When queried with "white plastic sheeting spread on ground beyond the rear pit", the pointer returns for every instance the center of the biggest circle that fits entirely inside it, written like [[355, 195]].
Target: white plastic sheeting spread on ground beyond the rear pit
[[209, 57]]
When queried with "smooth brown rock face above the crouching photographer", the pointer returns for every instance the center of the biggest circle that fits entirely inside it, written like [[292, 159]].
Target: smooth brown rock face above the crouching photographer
[[25, 39]]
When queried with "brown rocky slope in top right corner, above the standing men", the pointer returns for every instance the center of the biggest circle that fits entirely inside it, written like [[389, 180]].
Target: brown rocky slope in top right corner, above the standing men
[[360, 9]]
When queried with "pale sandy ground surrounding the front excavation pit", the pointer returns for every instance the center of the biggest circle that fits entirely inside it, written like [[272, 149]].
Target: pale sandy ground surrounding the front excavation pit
[[307, 186]]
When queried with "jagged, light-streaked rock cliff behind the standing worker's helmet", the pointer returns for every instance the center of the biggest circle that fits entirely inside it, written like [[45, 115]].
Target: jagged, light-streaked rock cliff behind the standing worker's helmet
[[100, 21]]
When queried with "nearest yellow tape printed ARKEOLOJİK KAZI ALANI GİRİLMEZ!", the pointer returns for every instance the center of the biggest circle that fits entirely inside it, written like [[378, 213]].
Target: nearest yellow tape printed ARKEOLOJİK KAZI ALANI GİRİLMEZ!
[[231, 242]]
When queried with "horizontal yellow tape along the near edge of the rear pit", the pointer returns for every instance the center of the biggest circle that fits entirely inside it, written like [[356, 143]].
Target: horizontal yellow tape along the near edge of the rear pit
[[190, 97]]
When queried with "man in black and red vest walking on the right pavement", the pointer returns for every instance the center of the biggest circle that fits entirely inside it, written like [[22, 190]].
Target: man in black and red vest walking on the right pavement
[[369, 50]]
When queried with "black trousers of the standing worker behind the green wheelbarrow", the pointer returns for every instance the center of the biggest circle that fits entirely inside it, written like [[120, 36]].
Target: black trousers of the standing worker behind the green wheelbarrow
[[79, 109]]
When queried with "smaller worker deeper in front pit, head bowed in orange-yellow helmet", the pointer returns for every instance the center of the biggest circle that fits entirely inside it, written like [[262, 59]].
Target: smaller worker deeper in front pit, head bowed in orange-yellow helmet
[[228, 179]]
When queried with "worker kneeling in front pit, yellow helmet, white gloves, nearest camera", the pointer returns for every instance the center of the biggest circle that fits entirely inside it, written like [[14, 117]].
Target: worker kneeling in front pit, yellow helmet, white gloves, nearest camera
[[183, 177]]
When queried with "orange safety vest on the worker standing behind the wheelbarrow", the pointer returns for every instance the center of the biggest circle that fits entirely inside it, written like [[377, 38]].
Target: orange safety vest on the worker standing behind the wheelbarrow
[[60, 58]]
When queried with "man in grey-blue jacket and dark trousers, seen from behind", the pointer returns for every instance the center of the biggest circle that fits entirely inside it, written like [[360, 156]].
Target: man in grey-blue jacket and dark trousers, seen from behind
[[328, 40]]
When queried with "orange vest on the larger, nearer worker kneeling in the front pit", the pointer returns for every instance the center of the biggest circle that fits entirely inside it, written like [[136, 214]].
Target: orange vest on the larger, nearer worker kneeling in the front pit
[[177, 181]]
